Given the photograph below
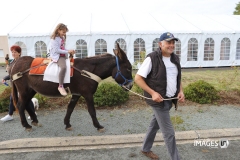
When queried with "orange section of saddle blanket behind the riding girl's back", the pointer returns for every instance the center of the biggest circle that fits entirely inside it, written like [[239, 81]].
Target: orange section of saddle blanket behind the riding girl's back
[[40, 69]]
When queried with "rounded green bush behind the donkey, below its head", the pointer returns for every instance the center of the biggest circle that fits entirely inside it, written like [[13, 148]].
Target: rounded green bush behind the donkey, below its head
[[109, 94]]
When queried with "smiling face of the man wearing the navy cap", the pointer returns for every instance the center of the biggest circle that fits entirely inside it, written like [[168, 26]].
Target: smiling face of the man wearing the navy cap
[[167, 47]]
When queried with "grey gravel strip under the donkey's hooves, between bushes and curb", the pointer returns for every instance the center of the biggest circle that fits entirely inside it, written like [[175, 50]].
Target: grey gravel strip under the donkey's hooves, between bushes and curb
[[120, 121]]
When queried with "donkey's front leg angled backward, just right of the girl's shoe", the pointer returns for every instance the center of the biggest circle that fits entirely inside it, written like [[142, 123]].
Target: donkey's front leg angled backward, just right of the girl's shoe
[[70, 109]]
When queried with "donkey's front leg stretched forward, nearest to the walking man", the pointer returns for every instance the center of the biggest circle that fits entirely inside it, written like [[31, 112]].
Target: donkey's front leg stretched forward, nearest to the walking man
[[92, 112]]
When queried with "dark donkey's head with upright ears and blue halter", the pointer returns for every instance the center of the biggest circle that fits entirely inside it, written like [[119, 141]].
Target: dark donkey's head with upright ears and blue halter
[[122, 73]]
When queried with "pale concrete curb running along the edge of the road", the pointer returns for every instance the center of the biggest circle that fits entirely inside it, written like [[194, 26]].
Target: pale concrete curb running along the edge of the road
[[120, 140]]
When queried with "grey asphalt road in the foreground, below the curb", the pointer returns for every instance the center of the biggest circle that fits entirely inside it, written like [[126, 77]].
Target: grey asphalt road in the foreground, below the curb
[[187, 152]]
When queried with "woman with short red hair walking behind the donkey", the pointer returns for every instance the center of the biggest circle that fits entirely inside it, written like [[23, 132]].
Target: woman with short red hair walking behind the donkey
[[16, 53]]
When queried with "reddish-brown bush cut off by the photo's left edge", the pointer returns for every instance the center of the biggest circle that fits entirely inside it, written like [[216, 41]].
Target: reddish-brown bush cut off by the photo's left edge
[[5, 99]]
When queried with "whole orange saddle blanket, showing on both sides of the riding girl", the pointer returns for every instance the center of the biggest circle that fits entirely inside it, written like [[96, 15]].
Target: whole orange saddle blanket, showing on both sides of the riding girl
[[39, 65]]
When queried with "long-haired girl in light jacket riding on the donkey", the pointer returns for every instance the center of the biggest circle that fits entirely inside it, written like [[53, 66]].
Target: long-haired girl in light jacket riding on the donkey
[[58, 53]]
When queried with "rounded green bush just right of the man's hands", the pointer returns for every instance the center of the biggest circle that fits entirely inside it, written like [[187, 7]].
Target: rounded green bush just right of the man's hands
[[201, 92]]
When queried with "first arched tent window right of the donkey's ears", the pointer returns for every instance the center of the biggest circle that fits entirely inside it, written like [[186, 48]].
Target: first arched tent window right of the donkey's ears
[[139, 50]]
